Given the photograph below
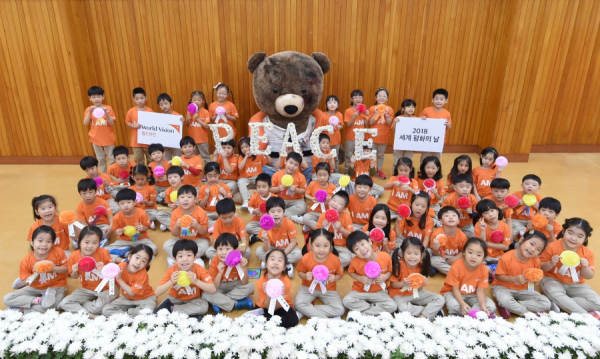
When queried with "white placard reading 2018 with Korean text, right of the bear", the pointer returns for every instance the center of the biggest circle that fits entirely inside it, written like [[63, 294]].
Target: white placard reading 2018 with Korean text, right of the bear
[[415, 134]]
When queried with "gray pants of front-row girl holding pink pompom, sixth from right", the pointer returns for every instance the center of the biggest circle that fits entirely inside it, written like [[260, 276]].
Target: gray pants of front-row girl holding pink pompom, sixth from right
[[332, 303]]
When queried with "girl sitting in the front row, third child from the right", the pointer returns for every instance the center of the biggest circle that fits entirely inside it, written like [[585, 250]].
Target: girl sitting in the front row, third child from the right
[[466, 280]]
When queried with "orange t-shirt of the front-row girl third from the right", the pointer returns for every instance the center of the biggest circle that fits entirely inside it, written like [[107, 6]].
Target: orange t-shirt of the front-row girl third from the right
[[466, 280]]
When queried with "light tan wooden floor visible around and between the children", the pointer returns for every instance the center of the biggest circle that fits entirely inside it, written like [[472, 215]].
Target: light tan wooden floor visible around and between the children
[[567, 177]]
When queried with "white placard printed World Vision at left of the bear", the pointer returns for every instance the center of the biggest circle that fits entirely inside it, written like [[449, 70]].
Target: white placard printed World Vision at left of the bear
[[159, 128]]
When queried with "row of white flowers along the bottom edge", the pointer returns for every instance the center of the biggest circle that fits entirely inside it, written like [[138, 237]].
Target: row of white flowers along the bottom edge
[[176, 336]]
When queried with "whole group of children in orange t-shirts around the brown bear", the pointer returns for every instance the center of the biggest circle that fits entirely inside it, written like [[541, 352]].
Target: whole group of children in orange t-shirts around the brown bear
[[466, 228]]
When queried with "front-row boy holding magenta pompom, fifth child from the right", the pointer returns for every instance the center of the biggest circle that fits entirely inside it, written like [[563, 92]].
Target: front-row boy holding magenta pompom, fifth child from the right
[[368, 295]]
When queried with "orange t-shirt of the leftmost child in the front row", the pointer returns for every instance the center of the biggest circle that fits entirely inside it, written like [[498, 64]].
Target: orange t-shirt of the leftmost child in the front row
[[53, 280]]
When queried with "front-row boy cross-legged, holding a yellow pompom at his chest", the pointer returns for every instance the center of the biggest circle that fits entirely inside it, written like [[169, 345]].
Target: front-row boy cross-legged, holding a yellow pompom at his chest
[[187, 299]]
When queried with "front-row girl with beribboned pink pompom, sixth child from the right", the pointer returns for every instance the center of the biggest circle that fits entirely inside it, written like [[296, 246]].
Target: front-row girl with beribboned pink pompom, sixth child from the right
[[321, 253]]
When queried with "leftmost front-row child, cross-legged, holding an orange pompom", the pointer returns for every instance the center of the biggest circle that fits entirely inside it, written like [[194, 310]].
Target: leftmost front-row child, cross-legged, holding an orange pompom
[[46, 290]]
